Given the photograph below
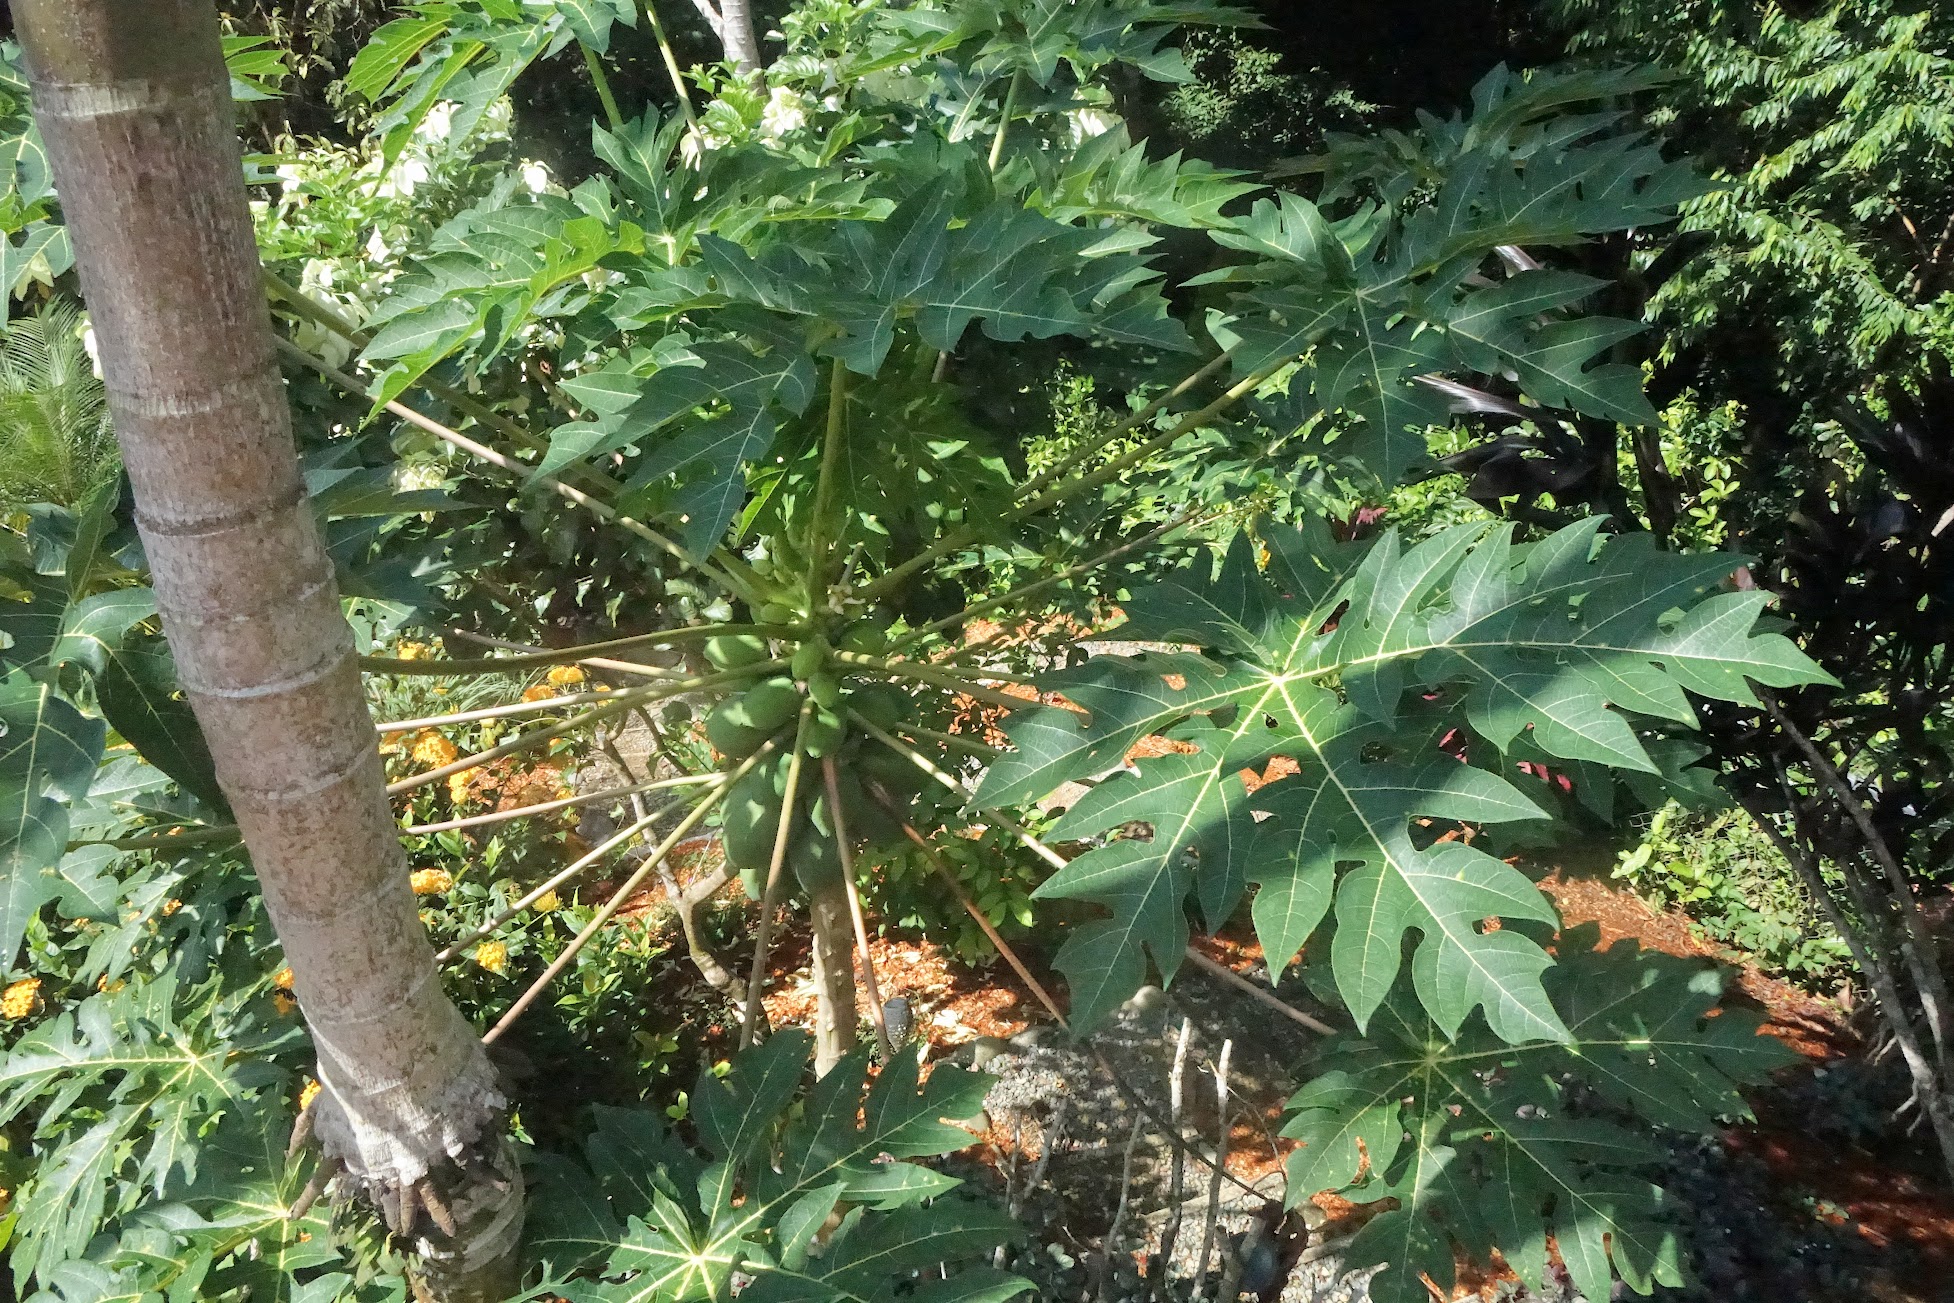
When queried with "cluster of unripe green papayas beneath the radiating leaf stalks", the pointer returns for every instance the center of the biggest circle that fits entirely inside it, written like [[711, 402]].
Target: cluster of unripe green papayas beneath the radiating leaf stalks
[[871, 778]]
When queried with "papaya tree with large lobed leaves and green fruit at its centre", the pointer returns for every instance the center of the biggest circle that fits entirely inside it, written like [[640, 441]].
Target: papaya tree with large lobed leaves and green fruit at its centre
[[767, 366]]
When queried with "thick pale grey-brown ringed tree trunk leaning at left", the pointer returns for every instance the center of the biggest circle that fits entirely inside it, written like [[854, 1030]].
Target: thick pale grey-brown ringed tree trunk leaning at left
[[136, 106]]
